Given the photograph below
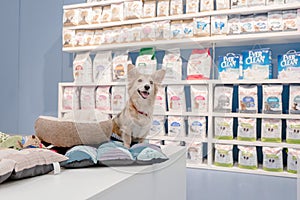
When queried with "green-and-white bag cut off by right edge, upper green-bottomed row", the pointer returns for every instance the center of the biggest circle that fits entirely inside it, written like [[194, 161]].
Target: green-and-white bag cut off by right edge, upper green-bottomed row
[[293, 131]]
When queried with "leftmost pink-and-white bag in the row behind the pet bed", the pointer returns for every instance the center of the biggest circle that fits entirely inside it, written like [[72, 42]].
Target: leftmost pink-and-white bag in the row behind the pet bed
[[71, 98]]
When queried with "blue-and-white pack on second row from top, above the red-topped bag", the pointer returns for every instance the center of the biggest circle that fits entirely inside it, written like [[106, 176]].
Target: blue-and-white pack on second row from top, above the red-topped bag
[[202, 26]]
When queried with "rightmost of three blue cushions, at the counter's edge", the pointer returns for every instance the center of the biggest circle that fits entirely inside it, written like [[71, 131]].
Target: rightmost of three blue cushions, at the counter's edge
[[147, 154]]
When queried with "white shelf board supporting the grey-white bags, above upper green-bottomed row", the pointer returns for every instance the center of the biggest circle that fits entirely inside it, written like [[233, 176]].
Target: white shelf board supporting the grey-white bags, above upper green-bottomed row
[[257, 115]]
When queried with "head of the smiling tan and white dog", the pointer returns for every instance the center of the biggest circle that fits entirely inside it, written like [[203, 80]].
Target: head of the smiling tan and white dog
[[143, 86]]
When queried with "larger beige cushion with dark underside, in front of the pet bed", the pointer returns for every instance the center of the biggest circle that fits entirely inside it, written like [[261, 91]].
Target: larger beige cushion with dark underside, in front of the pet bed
[[33, 162]]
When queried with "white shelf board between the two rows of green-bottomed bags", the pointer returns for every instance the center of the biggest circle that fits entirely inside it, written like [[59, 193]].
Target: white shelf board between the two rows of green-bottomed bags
[[256, 143]]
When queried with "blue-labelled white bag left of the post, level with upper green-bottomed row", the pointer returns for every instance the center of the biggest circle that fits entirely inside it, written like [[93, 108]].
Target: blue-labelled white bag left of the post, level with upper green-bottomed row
[[196, 127]]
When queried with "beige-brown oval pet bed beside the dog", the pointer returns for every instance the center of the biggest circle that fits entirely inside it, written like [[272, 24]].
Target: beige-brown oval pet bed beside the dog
[[69, 133]]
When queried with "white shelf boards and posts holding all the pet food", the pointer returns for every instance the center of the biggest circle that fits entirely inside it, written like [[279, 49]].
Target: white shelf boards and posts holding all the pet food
[[189, 43]]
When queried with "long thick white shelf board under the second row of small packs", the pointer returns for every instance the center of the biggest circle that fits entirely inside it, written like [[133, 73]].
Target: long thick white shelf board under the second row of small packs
[[200, 42]]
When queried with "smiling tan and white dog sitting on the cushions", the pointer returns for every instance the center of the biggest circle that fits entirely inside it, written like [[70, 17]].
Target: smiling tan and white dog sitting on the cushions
[[134, 122]]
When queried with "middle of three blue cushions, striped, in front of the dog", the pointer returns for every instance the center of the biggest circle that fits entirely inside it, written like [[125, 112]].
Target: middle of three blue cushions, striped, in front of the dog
[[114, 154]]
